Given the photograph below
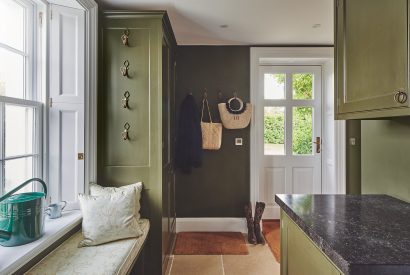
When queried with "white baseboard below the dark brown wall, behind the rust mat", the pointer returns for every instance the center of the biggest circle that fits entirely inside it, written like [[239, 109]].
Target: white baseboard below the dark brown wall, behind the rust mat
[[211, 225]]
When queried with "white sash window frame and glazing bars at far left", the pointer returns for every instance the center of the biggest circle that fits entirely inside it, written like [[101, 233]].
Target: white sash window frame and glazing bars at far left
[[31, 92]]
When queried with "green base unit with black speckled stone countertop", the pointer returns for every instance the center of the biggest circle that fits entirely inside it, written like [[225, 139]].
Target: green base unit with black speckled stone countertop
[[344, 234]]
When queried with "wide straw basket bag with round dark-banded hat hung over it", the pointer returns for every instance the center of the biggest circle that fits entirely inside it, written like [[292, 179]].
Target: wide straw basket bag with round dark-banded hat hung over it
[[235, 118]]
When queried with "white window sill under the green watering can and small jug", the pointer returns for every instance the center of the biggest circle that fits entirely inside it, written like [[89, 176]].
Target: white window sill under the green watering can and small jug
[[13, 258]]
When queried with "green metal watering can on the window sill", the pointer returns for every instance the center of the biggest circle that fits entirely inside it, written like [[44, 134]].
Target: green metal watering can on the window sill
[[22, 215]]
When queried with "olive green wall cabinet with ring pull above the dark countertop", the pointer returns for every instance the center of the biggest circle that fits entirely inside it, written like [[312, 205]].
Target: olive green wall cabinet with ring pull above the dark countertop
[[372, 57]]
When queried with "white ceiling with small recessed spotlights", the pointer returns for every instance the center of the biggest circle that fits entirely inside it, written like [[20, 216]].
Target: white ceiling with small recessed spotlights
[[250, 22]]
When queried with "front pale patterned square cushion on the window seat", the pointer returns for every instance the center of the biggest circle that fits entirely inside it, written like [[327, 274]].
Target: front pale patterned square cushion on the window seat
[[108, 218]]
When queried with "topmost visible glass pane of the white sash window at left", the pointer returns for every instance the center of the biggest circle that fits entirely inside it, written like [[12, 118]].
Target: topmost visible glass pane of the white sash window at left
[[12, 24]]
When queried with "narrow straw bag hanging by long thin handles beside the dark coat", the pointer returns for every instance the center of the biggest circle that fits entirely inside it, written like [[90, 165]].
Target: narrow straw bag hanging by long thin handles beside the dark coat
[[211, 132]]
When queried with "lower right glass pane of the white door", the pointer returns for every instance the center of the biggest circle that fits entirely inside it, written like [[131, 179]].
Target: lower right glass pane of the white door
[[302, 131]]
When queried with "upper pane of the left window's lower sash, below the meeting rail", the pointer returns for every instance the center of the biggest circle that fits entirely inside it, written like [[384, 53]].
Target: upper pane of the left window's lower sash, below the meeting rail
[[19, 130]]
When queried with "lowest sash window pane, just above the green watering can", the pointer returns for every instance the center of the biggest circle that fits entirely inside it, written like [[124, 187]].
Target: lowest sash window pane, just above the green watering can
[[17, 171]]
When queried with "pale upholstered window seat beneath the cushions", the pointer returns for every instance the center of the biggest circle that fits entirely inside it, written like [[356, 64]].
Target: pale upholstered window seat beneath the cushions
[[117, 257]]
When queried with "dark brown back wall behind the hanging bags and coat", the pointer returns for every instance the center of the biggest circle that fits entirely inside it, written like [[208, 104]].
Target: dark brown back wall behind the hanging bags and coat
[[221, 186]]
